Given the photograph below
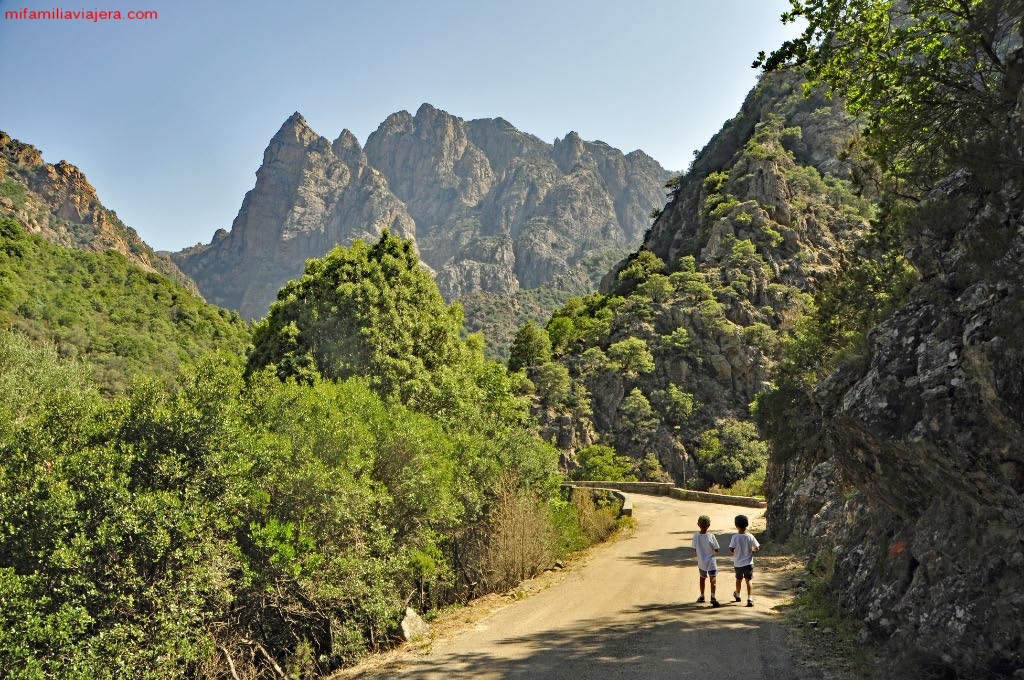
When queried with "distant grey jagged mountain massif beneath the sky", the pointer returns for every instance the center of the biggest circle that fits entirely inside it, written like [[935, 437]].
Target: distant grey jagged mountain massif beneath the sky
[[493, 210]]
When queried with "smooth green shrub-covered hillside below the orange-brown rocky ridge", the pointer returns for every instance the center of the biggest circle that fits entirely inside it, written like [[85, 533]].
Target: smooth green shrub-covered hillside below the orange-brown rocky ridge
[[99, 308]]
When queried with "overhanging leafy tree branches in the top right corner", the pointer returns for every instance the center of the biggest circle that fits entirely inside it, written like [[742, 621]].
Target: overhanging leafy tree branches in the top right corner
[[934, 78]]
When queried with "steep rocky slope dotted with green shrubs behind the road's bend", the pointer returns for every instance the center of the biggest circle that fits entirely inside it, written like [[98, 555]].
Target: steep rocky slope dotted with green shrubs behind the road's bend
[[763, 218]]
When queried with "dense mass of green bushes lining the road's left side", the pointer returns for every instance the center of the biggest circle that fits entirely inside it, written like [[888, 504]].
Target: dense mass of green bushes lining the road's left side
[[238, 521]]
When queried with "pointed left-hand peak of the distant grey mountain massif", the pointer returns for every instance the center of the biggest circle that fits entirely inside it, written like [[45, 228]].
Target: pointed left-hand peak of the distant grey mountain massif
[[311, 195]]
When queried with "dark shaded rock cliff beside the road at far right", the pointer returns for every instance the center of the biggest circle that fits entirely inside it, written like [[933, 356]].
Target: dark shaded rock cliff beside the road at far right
[[915, 490]]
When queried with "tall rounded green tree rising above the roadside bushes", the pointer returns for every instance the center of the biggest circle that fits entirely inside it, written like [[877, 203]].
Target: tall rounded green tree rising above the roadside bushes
[[367, 311]]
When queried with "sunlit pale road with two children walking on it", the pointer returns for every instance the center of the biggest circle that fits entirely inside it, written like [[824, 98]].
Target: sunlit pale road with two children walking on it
[[629, 612]]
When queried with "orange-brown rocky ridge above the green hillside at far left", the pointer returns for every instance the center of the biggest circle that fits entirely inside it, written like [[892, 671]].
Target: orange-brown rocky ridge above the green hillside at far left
[[59, 203]]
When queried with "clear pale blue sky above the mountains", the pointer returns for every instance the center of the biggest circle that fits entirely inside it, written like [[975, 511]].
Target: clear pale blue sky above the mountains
[[169, 117]]
